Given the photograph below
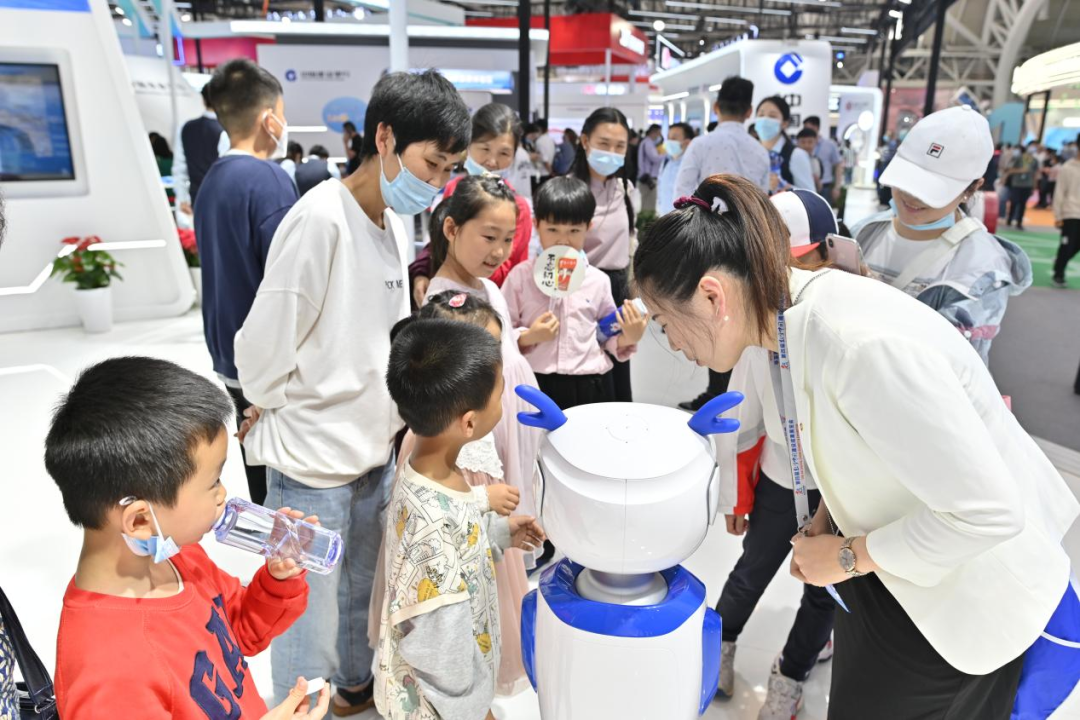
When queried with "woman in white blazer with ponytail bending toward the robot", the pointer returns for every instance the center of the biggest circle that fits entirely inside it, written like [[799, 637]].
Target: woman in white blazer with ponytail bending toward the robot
[[941, 520]]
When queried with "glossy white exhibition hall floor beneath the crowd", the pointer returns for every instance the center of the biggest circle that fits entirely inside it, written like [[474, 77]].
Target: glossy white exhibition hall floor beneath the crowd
[[39, 548]]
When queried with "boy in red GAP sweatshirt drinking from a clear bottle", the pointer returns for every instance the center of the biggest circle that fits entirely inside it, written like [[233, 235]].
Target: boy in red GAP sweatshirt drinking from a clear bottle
[[152, 629]]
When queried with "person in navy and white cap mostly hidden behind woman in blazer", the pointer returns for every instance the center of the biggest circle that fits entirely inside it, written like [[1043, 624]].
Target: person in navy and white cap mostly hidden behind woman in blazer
[[759, 500]]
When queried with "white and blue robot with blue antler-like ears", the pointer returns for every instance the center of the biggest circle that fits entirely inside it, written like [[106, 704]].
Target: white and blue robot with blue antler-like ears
[[619, 630]]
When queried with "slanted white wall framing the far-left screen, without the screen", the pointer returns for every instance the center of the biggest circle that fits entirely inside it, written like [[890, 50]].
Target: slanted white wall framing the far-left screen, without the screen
[[126, 201]]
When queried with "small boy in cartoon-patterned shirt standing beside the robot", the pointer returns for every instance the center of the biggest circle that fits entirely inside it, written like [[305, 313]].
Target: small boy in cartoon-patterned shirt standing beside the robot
[[440, 636]]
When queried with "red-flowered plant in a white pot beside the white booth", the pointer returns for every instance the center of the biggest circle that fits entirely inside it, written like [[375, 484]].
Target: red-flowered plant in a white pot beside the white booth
[[92, 271]]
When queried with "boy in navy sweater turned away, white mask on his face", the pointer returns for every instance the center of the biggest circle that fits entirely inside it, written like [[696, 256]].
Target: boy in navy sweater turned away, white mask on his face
[[242, 201]]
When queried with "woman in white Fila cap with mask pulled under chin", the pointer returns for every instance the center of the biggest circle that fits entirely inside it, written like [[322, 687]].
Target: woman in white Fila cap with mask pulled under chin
[[927, 246]]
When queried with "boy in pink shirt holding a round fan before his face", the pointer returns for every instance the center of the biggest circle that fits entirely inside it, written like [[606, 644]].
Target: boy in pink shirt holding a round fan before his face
[[561, 344]]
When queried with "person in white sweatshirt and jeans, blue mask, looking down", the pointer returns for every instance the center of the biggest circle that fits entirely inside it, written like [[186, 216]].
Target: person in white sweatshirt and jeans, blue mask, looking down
[[314, 350]]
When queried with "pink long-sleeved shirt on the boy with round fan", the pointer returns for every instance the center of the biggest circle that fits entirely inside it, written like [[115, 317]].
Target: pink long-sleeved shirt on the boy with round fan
[[575, 350]]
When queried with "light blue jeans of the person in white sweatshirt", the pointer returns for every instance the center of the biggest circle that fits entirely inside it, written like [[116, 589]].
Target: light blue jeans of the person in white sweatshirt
[[330, 641]]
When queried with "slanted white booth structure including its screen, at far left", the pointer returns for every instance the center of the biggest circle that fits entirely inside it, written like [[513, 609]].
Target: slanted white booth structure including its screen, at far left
[[84, 167]]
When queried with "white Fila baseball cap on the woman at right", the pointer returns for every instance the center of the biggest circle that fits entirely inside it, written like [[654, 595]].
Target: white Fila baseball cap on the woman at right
[[943, 155]]
